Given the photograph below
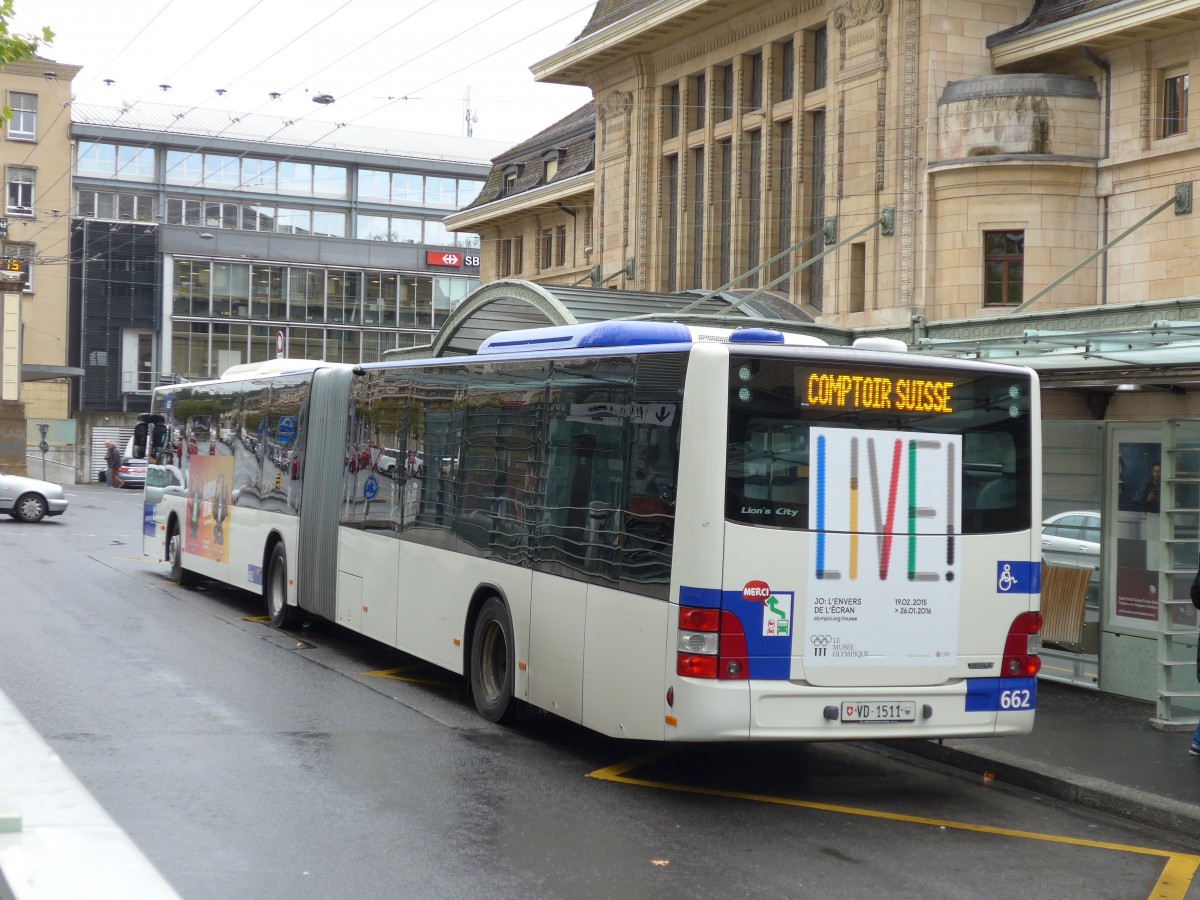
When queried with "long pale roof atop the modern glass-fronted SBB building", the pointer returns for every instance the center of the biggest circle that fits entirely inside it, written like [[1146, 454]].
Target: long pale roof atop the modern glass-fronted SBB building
[[274, 130]]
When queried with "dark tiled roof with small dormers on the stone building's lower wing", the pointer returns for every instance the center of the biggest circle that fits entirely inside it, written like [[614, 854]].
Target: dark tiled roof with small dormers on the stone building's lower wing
[[573, 135]]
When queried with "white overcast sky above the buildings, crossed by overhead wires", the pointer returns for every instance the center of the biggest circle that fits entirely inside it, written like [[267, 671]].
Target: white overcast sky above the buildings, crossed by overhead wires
[[395, 64]]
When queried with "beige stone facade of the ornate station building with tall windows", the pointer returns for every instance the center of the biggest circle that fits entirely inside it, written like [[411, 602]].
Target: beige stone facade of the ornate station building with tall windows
[[727, 134]]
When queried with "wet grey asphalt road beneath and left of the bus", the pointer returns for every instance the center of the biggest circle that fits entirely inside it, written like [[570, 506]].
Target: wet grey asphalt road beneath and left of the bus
[[249, 763]]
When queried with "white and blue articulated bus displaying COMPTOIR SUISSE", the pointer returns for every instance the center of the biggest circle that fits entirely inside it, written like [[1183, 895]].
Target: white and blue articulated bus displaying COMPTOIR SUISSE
[[657, 531]]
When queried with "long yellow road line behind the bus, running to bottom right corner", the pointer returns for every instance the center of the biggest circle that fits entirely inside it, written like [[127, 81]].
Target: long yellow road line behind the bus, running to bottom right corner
[[1173, 884]]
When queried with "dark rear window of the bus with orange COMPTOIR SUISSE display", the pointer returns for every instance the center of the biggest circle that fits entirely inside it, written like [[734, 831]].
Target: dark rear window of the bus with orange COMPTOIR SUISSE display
[[777, 403]]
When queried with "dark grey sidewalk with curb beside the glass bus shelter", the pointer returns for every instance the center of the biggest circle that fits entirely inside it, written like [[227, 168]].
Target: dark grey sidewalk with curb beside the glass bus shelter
[[1096, 751]]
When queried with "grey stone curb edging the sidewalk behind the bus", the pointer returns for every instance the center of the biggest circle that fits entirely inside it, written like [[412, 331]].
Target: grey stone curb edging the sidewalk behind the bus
[[1095, 794]]
